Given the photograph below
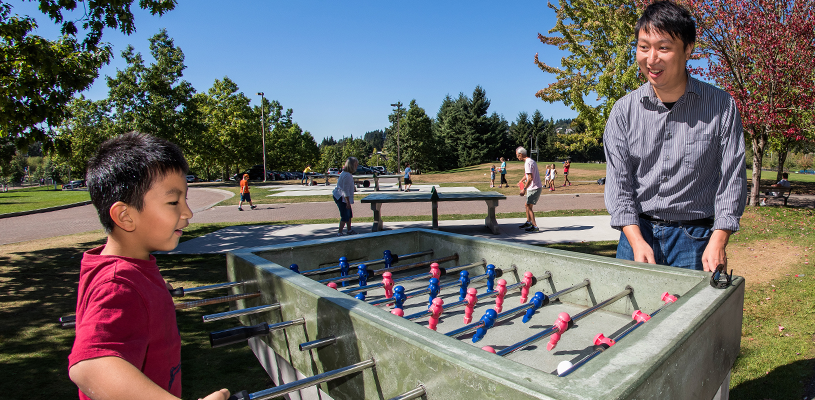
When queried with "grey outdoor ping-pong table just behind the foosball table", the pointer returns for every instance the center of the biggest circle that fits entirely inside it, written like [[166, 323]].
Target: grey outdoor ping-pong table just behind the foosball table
[[491, 198]]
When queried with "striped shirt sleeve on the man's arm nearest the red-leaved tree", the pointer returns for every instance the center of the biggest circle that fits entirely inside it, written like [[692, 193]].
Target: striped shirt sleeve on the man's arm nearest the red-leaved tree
[[731, 194]]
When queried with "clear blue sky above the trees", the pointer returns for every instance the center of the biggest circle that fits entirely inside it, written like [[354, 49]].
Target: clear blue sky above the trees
[[340, 65]]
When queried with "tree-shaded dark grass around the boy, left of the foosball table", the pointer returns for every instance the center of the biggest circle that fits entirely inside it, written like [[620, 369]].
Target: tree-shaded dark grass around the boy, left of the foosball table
[[39, 286]]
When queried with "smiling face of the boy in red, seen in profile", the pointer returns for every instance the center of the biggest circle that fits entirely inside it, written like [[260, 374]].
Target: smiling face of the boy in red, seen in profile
[[165, 214]]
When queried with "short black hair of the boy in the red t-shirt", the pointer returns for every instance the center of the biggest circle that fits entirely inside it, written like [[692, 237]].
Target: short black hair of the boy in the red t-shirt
[[125, 168]]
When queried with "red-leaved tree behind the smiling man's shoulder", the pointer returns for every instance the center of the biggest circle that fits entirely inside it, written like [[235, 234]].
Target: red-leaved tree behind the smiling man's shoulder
[[763, 53]]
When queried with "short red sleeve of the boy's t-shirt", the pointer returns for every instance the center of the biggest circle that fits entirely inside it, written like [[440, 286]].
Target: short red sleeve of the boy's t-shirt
[[114, 323]]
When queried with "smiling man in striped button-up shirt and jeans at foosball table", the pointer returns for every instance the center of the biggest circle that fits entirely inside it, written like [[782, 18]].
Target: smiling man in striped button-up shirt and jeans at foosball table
[[676, 184]]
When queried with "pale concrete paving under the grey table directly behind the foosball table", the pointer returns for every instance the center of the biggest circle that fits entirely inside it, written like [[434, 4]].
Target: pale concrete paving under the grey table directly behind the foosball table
[[553, 230]]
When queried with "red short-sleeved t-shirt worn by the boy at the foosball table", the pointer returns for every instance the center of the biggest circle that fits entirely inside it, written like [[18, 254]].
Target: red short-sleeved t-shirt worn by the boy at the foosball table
[[125, 310]]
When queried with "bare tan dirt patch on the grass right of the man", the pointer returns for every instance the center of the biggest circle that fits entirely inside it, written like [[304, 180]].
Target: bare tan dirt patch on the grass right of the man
[[762, 261]]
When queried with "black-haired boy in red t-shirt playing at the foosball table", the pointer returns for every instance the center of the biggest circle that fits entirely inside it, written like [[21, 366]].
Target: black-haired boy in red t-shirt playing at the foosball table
[[127, 343]]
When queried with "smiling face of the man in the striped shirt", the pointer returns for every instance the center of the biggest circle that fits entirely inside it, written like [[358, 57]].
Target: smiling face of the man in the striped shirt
[[662, 58]]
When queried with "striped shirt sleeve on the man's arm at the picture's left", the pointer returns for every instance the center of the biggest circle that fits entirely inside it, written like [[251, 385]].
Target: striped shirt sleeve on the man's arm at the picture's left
[[619, 191]]
